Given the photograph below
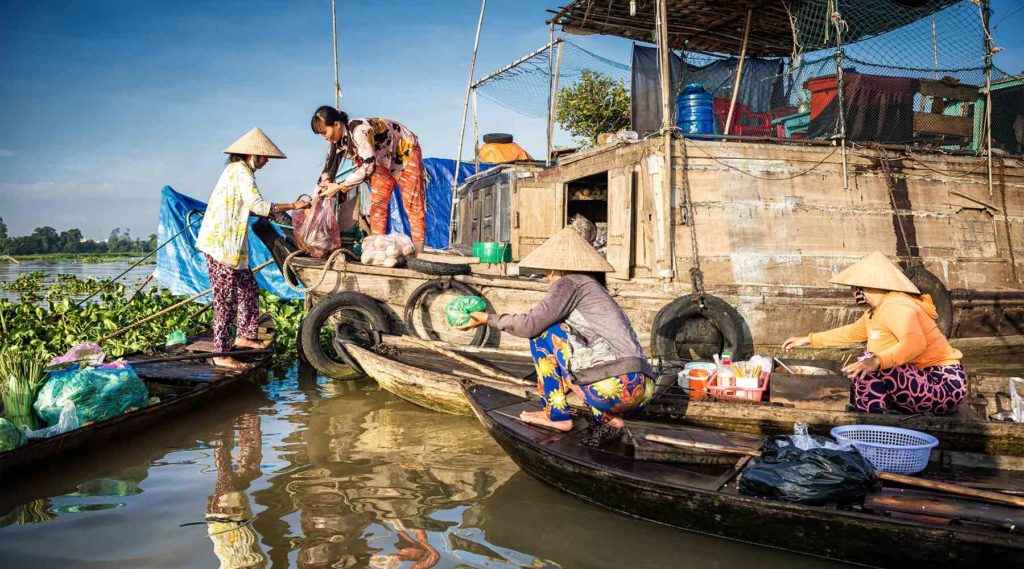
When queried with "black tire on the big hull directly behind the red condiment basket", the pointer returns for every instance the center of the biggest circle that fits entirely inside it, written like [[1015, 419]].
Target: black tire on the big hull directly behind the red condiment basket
[[671, 319]]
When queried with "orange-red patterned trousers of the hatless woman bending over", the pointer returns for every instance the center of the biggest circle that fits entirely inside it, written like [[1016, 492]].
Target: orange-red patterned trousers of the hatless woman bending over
[[413, 191]]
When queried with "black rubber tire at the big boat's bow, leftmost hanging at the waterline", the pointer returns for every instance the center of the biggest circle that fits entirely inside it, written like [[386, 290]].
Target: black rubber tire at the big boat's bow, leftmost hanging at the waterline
[[318, 317]]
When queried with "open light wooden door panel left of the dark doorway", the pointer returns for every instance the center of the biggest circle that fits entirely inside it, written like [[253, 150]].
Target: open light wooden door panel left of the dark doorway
[[538, 213]]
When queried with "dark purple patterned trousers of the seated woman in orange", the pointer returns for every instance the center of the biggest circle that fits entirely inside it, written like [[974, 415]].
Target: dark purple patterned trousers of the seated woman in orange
[[909, 389]]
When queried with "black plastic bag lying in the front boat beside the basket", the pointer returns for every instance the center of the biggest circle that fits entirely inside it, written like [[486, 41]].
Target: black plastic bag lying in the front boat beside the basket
[[823, 474]]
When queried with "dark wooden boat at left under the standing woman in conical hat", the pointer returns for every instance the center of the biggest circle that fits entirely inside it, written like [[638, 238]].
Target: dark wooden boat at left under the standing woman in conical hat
[[180, 380]]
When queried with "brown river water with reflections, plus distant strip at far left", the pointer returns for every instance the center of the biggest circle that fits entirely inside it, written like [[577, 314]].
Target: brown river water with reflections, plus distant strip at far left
[[301, 471]]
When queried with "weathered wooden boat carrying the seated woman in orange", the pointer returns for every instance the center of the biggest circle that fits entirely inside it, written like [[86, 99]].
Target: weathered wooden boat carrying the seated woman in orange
[[431, 380]]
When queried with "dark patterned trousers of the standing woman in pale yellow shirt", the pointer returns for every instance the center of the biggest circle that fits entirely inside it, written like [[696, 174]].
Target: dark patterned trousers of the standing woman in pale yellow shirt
[[236, 301]]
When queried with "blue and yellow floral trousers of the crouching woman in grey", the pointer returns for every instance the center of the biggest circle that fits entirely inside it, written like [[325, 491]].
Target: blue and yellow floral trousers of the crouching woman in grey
[[611, 399]]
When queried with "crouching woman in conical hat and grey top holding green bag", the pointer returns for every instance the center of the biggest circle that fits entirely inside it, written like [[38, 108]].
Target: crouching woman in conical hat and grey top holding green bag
[[580, 338]]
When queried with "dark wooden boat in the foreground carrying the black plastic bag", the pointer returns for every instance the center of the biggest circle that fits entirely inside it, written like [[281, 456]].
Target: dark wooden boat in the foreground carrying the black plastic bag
[[944, 533]]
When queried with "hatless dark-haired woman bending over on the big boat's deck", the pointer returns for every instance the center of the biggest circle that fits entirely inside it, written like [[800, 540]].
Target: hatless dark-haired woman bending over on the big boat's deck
[[387, 155]]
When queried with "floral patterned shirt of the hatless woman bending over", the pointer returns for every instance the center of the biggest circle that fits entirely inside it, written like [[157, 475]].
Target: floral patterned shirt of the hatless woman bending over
[[376, 143]]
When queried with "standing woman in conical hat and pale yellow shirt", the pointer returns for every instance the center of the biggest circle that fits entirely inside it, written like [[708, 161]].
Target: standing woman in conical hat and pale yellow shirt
[[224, 239]]
